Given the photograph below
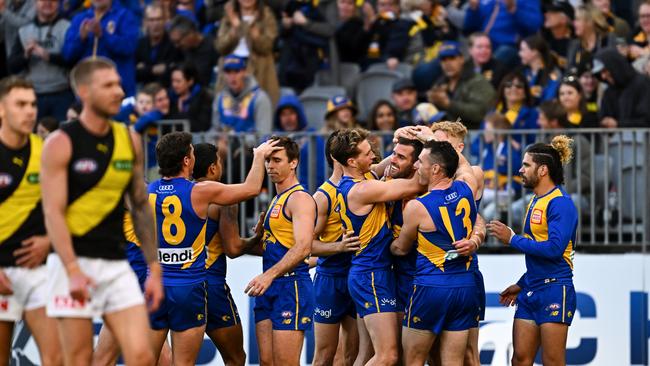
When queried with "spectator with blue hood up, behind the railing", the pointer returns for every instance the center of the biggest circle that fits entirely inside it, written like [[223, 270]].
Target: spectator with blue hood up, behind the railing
[[290, 117]]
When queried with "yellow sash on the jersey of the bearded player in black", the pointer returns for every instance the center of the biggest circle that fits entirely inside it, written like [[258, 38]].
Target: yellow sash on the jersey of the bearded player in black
[[87, 211]]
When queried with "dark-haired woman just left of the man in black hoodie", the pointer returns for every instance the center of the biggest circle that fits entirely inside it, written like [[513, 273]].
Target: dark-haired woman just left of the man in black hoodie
[[574, 103]]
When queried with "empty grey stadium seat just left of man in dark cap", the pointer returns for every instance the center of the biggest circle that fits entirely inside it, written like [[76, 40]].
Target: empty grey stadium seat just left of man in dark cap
[[374, 86]]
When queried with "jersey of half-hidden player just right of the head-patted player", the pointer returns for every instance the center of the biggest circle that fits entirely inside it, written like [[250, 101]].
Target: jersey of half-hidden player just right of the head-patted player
[[337, 264]]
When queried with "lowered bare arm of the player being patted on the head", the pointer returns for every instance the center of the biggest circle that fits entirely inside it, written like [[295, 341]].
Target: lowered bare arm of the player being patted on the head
[[302, 209]]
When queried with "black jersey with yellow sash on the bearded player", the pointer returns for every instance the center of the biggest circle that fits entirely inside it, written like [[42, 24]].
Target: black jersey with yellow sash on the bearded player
[[100, 171]]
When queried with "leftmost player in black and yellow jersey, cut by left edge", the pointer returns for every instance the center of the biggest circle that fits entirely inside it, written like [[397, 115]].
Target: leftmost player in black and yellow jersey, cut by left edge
[[23, 243]]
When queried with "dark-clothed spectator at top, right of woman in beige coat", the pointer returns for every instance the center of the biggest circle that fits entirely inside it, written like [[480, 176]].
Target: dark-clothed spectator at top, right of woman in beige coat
[[305, 39]]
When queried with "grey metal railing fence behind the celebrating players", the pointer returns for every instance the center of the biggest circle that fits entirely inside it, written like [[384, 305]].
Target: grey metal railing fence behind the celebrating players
[[609, 178]]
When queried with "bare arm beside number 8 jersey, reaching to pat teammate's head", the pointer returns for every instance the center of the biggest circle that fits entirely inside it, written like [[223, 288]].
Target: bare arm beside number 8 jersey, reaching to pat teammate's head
[[228, 194]]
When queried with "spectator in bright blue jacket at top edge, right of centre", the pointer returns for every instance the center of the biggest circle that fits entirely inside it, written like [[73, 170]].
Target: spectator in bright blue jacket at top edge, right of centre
[[505, 21]]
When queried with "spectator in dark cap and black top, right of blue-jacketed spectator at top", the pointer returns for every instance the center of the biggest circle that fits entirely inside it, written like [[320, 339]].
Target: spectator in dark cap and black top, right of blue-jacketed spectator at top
[[558, 29]]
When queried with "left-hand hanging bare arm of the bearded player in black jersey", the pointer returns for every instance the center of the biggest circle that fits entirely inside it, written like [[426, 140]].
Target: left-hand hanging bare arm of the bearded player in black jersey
[[56, 156]]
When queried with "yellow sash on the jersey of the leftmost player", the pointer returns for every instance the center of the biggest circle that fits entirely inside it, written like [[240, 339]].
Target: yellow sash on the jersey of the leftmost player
[[16, 209]]
